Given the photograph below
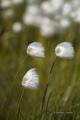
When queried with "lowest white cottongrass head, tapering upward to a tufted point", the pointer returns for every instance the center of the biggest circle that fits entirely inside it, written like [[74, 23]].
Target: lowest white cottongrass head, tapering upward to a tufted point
[[31, 79]]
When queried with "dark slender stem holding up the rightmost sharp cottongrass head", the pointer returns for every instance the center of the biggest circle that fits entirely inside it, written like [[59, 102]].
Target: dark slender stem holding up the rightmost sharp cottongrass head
[[46, 89]]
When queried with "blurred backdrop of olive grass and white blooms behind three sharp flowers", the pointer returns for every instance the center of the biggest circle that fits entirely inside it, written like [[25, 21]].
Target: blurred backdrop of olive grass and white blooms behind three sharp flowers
[[49, 22]]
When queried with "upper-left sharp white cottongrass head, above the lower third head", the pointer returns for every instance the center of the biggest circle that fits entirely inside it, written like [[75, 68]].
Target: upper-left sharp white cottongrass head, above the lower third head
[[36, 49]]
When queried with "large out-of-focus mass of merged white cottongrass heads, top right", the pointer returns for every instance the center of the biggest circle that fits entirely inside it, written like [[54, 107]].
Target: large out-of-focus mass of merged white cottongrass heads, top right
[[62, 12]]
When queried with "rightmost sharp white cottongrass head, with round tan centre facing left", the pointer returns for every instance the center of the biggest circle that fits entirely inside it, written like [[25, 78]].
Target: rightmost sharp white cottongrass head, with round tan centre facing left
[[64, 50]]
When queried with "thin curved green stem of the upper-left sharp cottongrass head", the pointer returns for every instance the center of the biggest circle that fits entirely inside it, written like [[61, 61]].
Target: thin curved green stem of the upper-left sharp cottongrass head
[[8, 101]]
